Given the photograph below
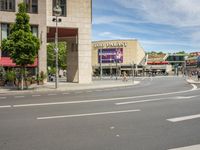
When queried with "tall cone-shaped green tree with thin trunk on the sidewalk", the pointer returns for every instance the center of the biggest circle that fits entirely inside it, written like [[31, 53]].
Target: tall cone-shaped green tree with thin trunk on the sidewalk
[[21, 44]]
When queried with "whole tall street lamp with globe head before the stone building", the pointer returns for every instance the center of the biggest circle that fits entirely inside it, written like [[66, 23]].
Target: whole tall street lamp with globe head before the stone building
[[57, 12]]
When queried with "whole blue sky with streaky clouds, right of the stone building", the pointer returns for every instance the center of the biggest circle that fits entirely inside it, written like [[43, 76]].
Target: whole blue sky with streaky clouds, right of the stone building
[[159, 25]]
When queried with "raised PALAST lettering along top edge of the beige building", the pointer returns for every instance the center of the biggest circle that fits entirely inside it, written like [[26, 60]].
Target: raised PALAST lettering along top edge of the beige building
[[110, 45]]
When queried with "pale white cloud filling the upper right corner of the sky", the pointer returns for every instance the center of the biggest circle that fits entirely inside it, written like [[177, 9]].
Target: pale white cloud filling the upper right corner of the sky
[[171, 12]]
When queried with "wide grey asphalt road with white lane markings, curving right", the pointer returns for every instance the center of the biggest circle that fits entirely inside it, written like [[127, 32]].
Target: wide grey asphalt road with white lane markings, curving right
[[158, 114]]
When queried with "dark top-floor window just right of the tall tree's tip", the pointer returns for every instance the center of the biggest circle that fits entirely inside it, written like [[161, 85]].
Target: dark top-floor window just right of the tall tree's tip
[[32, 6]]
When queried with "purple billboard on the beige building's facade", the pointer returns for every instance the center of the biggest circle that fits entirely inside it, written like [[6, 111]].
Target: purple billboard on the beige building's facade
[[110, 55]]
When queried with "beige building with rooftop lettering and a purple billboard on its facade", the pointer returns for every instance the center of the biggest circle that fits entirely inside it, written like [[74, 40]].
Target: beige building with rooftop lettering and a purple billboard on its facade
[[117, 56]]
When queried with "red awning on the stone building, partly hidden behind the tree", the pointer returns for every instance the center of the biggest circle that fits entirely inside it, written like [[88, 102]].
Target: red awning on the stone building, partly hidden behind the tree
[[8, 62]]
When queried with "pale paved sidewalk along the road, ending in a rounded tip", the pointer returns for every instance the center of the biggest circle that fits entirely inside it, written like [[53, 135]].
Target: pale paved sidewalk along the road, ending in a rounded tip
[[65, 86]]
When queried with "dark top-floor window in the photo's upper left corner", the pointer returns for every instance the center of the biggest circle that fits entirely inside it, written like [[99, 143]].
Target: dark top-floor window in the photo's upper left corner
[[7, 5]]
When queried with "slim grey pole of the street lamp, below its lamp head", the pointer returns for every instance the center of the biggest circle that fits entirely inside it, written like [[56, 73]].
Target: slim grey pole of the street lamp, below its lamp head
[[56, 51]]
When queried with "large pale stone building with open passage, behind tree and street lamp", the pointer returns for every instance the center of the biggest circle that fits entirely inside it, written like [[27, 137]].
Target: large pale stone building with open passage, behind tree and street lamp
[[75, 28]]
